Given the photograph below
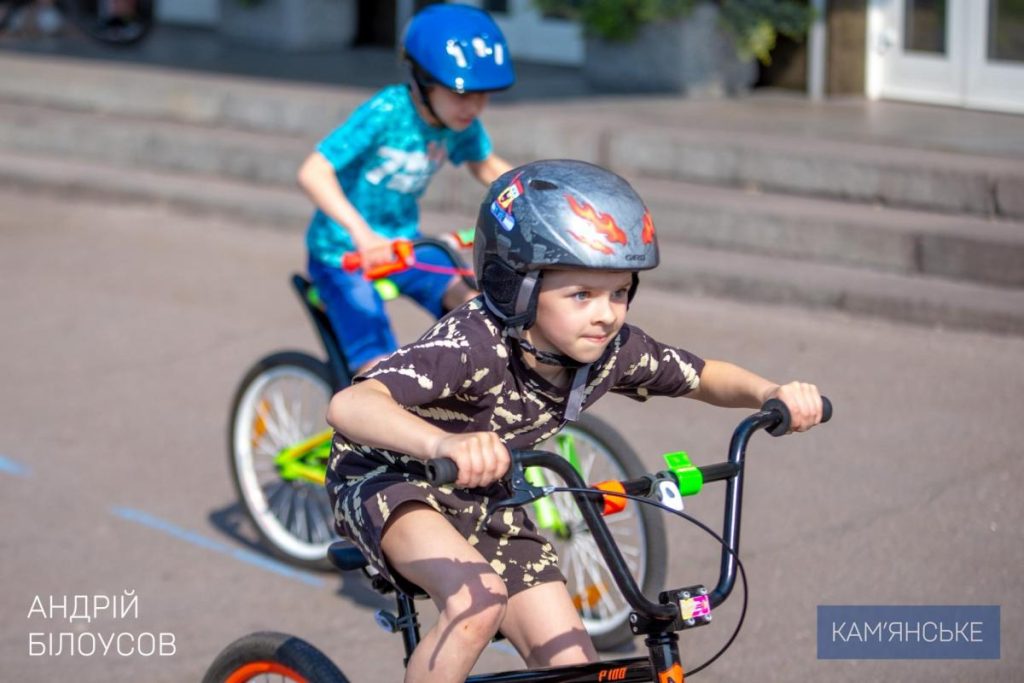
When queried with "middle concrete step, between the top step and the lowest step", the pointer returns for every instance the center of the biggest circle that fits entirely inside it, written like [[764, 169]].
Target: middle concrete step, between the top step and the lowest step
[[957, 246]]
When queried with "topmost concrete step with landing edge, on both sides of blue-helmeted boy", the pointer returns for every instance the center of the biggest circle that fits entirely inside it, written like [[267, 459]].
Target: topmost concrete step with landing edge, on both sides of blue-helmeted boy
[[791, 148]]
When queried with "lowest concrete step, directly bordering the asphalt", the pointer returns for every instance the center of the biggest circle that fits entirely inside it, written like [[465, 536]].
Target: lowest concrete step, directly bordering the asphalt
[[686, 268]]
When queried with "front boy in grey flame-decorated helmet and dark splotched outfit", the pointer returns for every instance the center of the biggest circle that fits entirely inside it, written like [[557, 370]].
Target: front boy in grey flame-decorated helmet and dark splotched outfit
[[558, 251]]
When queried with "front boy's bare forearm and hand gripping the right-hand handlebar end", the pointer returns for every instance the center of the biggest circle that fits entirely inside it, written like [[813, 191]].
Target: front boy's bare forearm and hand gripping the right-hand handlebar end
[[732, 387]]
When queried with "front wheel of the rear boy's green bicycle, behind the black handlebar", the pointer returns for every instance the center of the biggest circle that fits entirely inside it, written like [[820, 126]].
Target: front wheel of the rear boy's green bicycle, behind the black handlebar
[[601, 454]]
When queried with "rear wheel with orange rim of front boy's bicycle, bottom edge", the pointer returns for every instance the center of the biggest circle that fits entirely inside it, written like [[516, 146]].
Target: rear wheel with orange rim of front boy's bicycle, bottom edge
[[261, 656]]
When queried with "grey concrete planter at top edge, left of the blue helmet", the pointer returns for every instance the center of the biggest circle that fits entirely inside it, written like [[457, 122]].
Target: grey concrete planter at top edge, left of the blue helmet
[[290, 25]]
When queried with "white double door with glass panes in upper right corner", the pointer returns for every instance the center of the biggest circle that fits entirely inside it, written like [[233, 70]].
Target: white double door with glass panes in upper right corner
[[961, 53]]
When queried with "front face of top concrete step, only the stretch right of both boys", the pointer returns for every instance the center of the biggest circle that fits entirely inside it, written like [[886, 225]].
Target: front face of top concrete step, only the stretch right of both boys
[[938, 182]]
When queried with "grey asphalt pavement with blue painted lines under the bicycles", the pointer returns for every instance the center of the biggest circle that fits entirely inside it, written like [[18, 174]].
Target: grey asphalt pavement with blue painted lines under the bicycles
[[124, 329]]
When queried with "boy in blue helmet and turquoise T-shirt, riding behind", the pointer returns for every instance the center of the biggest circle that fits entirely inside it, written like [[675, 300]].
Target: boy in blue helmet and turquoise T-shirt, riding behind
[[367, 177]]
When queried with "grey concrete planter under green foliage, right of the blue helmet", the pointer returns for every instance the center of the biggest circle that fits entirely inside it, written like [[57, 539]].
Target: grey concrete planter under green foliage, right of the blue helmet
[[693, 56]]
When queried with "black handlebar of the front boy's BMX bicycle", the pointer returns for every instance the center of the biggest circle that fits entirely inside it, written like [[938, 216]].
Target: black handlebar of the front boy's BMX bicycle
[[774, 417]]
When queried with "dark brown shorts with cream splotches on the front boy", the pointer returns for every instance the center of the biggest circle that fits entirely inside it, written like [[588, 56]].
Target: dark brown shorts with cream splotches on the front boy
[[365, 499]]
